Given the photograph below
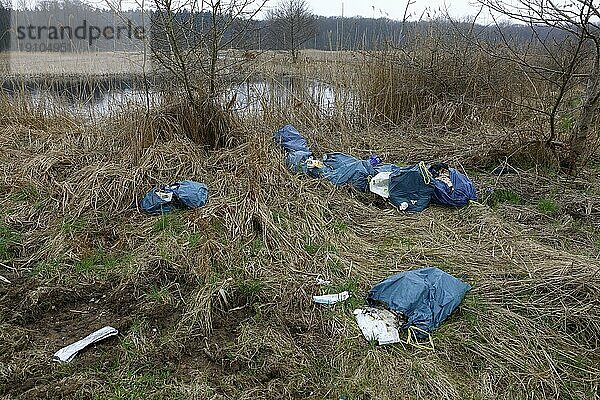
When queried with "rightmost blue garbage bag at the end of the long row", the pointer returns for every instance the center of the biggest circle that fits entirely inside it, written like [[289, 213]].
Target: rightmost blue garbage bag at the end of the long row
[[456, 194]]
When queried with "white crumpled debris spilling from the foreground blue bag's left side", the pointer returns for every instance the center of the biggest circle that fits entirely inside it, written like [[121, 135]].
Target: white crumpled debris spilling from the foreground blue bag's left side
[[378, 324]]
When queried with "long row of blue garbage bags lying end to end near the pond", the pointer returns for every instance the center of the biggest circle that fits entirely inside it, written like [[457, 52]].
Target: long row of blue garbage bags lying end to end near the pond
[[409, 188]]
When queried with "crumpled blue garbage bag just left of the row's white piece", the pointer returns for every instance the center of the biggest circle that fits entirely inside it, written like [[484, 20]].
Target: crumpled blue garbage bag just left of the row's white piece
[[343, 169]]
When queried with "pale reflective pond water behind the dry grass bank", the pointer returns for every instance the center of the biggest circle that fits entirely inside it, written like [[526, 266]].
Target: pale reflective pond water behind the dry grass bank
[[101, 99]]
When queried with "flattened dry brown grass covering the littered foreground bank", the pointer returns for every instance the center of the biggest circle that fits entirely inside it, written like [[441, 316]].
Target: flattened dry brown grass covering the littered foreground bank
[[216, 303]]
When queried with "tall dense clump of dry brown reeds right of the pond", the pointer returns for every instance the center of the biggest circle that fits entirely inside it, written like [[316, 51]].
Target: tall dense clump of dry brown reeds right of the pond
[[437, 82]]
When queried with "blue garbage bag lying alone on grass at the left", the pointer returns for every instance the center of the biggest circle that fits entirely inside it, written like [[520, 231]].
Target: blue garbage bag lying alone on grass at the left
[[184, 194]]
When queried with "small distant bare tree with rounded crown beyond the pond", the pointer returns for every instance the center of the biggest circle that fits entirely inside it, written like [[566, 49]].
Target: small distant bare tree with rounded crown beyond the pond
[[291, 25]]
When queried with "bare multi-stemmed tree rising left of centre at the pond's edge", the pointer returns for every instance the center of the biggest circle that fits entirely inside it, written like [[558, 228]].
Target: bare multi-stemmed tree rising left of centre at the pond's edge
[[190, 38]]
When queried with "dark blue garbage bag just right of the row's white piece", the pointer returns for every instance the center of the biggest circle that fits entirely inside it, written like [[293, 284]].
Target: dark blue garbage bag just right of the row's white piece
[[410, 188]]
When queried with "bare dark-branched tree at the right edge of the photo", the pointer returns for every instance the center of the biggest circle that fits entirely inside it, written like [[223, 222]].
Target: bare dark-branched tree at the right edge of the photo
[[564, 57]]
